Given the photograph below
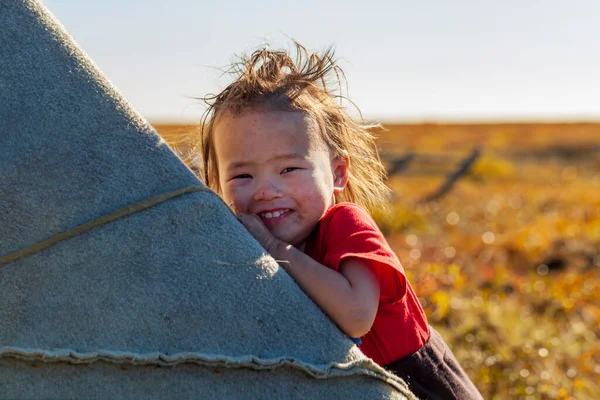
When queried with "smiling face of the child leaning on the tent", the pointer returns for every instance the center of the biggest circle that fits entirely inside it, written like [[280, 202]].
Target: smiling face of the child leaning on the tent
[[275, 164]]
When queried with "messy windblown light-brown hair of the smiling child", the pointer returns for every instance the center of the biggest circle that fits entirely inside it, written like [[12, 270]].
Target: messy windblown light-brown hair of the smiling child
[[273, 80]]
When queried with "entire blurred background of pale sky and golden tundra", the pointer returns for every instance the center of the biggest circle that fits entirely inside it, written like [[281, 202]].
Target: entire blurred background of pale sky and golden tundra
[[491, 137]]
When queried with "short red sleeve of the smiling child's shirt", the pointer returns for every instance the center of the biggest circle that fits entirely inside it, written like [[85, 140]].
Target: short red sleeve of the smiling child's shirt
[[349, 231]]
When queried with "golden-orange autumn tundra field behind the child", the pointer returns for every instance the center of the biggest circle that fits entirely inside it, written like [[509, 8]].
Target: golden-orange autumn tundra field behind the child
[[507, 264]]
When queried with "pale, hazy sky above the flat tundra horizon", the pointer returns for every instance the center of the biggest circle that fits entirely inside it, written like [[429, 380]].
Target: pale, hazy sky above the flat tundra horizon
[[411, 61]]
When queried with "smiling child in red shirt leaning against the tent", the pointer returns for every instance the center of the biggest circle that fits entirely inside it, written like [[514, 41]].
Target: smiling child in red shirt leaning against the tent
[[297, 170]]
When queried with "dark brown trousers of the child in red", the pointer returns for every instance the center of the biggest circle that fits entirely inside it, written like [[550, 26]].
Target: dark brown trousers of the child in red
[[432, 372]]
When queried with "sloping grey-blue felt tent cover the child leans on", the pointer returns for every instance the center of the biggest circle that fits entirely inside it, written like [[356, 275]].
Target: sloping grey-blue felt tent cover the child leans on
[[176, 300]]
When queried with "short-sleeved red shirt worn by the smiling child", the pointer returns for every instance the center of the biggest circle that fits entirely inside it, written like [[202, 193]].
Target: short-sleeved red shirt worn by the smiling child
[[400, 326]]
